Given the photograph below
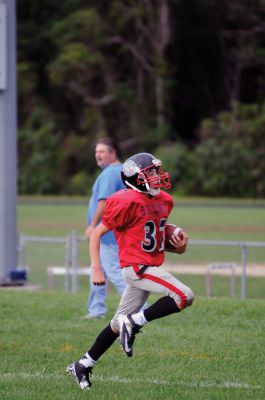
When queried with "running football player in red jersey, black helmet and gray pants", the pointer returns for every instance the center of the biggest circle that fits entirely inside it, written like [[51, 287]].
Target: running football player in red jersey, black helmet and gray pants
[[138, 216]]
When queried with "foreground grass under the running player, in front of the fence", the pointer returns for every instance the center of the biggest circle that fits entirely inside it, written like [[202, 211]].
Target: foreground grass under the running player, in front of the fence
[[212, 350]]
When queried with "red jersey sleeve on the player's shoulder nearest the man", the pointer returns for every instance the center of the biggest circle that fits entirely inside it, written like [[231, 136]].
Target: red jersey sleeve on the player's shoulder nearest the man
[[117, 214]]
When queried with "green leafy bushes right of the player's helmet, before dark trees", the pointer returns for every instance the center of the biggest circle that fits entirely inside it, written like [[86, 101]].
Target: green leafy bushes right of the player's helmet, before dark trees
[[229, 161]]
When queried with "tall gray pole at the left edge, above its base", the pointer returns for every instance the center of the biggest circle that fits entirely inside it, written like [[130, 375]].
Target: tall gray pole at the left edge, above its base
[[8, 138]]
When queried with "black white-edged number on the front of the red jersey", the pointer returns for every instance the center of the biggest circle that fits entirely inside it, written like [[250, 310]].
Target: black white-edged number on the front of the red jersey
[[150, 240]]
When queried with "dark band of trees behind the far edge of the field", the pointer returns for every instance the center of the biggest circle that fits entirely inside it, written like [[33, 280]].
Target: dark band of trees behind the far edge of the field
[[184, 80]]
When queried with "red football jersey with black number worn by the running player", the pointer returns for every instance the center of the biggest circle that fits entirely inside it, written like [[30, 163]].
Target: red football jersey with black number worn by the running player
[[138, 222]]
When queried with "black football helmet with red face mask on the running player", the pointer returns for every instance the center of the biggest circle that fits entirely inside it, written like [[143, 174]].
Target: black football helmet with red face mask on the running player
[[143, 173]]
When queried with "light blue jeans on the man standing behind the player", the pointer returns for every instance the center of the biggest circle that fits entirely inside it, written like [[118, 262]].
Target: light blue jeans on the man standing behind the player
[[111, 267]]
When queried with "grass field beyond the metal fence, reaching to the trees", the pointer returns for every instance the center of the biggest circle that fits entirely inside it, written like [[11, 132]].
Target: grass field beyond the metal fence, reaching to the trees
[[239, 222]]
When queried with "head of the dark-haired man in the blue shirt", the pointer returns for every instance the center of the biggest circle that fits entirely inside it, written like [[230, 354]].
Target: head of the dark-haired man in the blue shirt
[[105, 152]]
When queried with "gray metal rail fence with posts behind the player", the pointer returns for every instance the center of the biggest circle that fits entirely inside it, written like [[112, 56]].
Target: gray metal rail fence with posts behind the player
[[71, 254]]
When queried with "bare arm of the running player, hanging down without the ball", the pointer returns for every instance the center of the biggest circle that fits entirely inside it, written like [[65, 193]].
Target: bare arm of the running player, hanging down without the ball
[[98, 277]]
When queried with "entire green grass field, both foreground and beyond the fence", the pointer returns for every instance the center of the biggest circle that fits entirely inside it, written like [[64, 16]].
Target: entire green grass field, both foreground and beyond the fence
[[214, 350]]
